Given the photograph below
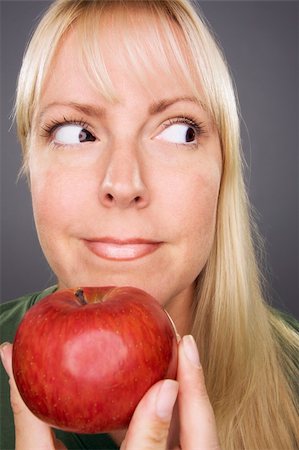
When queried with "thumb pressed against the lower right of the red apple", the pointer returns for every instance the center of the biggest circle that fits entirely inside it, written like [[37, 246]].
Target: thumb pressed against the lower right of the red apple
[[150, 423]]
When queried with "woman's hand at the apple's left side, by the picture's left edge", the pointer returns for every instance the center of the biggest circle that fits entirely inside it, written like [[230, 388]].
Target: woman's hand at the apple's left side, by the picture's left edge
[[31, 433]]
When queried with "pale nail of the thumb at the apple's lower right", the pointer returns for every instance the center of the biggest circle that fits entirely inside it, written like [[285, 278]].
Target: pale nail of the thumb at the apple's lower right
[[166, 399]]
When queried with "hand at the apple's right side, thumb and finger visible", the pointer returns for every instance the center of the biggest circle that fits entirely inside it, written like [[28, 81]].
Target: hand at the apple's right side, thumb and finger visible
[[151, 428]]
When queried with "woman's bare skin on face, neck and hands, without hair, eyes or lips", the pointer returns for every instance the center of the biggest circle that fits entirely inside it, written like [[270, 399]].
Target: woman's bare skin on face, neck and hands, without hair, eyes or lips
[[135, 180]]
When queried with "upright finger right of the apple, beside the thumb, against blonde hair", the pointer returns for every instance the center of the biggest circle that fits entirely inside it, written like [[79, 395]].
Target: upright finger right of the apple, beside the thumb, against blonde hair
[[197, 420]]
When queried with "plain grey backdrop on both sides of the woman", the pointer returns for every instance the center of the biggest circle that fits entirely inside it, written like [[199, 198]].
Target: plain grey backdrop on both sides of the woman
[[260, 40]]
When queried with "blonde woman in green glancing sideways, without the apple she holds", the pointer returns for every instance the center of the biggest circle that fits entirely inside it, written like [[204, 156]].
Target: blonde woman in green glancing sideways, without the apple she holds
[[129, 128]]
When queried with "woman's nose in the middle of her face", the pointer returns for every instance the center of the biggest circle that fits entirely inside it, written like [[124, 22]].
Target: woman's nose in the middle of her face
[[122, 185]]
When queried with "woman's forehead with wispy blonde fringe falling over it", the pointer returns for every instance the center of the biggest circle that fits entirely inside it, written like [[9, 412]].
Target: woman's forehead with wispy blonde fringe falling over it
[[107, 51]]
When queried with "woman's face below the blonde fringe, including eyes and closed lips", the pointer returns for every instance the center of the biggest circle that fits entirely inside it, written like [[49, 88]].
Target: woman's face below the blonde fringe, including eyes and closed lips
[[124, 193]]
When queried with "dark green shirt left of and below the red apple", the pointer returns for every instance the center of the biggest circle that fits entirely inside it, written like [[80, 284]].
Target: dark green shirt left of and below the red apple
[[11, 314]]
